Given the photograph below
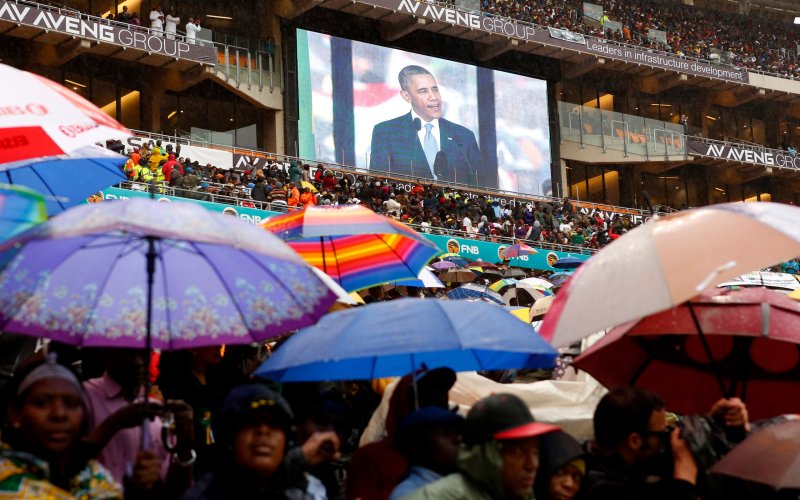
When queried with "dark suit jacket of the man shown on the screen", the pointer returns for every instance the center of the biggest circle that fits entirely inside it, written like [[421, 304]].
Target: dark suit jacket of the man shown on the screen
[[395, 145]]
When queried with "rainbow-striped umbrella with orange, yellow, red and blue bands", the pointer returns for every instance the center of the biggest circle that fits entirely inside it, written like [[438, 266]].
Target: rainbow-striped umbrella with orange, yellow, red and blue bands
[[354, 245]]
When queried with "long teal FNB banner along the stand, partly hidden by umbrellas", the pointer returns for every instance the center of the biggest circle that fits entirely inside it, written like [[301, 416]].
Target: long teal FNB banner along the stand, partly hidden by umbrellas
[[471, 249]]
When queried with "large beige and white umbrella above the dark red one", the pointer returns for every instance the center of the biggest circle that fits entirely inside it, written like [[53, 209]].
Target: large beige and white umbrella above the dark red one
[[669, 260]]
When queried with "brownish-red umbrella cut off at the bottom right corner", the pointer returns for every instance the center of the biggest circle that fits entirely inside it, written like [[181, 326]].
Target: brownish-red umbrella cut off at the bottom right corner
[[770, 456]]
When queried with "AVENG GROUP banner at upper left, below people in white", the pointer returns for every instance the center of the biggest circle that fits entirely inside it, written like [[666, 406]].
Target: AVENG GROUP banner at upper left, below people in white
[[92, 29]]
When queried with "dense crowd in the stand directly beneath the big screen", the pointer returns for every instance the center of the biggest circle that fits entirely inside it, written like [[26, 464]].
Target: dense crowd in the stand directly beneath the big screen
[[432, 209]]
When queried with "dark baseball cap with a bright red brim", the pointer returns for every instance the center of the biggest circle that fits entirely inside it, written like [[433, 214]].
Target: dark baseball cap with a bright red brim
[[501, 417]]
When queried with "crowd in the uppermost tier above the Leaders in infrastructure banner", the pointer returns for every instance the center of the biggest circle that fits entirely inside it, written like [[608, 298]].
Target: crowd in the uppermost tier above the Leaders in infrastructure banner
[[743, 41]]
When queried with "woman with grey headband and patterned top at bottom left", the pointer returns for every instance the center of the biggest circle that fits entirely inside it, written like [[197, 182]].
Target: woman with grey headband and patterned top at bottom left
[[41, 456]]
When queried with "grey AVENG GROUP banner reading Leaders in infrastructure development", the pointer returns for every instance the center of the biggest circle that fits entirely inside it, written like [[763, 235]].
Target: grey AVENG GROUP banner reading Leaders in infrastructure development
[[527, 32]]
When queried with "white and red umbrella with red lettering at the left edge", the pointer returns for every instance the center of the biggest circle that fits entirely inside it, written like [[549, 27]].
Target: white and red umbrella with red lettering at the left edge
[[39, 117]]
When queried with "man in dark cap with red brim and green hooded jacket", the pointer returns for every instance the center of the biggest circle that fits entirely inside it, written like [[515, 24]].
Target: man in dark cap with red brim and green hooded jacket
[[499, 456]]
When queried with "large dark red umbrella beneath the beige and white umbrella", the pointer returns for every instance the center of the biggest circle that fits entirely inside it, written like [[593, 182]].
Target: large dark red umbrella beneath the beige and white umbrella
[[723, 343]]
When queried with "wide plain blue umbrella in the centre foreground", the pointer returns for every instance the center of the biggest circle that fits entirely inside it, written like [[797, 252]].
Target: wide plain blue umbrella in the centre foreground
[[384, 339]]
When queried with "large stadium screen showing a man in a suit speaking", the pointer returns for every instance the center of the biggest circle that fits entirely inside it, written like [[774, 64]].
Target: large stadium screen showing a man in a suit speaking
[[408, 114]]
